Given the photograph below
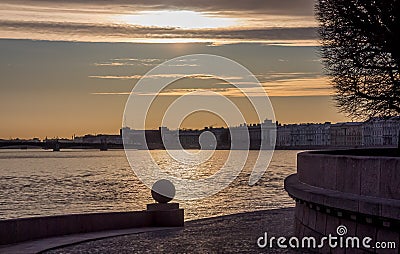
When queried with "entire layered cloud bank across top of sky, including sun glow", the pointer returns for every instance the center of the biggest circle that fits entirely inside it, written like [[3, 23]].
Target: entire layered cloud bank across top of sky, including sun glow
[[270, 21]]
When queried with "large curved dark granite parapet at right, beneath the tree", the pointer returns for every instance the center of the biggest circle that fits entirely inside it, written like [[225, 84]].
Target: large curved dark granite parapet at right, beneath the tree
[[359, 189]]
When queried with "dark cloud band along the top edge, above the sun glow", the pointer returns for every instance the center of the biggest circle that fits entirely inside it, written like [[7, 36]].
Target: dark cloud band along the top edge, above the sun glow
[[281, 7]]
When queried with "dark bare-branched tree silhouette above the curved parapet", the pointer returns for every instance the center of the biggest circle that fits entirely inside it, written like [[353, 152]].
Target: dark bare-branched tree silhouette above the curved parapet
[[361, 54]]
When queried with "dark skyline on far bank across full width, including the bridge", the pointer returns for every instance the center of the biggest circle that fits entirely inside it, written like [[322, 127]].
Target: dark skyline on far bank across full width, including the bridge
[[375, 132]]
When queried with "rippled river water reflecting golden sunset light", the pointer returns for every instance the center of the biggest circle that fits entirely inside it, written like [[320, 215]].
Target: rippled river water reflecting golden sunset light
[[38, 183]]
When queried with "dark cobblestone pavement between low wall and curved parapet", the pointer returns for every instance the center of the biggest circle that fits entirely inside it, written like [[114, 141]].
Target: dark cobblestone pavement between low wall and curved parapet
[[227, 234]]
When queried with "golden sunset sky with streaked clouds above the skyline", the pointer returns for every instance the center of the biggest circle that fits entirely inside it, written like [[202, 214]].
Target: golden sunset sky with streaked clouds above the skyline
[[68, 67]]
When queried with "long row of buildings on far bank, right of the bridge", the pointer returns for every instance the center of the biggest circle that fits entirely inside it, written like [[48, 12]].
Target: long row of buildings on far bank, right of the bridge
[[377, 132]]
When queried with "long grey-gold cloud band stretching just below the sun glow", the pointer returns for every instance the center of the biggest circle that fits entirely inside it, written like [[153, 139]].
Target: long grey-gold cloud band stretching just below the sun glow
[[78, 31]]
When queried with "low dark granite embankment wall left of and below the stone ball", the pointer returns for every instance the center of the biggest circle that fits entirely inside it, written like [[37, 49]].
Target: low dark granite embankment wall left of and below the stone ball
[[25, 229]]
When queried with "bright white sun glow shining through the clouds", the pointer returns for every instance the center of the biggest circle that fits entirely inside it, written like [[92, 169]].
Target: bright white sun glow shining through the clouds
[[177, 19]]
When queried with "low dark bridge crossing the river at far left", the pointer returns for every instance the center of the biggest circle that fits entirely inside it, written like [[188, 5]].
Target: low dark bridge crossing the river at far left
[[57, 145]]
